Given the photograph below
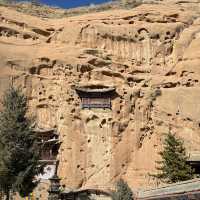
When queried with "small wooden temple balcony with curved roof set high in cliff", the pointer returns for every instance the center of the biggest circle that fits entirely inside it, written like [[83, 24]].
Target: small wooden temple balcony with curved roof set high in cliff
[[96, 97]]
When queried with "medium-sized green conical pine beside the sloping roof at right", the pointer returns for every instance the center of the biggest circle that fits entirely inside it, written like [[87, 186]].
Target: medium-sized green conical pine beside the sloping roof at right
[[174, 167]]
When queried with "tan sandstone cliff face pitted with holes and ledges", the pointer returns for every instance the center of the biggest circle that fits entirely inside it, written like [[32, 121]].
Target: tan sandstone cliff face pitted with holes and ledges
[[149, 54]]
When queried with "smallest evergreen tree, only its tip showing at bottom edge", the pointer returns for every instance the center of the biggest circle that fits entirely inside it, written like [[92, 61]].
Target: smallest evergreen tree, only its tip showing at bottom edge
[[123, 191]]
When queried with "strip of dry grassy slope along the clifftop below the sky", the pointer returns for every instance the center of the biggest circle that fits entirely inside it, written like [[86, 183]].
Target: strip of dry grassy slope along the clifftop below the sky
[[45, 11]]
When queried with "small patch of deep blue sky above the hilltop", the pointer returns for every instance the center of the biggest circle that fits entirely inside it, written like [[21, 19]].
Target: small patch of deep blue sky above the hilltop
[[72, 3]]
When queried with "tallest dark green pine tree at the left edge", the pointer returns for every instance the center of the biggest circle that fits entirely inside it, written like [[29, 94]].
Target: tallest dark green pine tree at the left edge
[[19, 152]]
